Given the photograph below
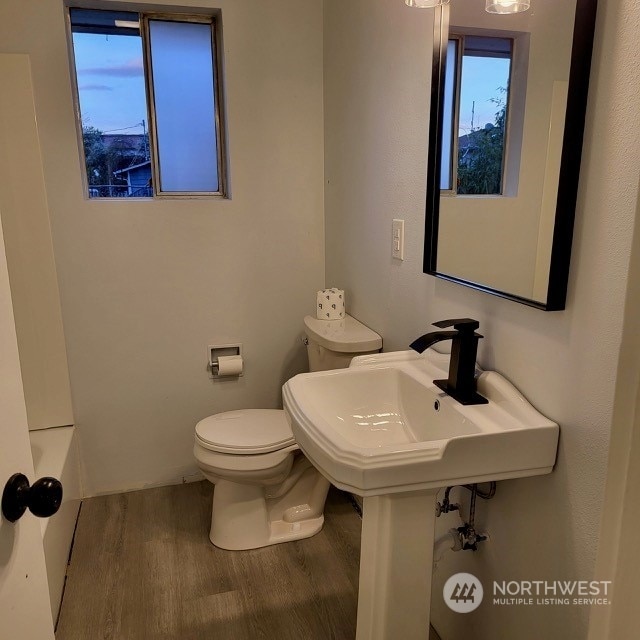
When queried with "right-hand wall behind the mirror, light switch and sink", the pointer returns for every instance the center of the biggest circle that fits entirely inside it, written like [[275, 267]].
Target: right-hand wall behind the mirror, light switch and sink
[[377, 56]]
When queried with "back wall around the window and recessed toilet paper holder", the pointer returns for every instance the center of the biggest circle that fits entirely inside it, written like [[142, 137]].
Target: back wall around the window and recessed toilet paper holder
[[146, 286]]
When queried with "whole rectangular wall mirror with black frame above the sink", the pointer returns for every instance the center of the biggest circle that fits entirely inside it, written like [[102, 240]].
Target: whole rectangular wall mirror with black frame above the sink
[[508, 102]]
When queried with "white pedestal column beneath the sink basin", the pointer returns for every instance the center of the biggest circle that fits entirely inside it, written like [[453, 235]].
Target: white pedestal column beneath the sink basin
[[396, 563]]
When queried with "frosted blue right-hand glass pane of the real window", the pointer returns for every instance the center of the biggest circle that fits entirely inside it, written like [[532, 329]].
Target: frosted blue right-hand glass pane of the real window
[[184, 97]]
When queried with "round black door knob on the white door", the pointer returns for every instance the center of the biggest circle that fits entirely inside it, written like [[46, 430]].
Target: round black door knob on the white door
[[43, 498]]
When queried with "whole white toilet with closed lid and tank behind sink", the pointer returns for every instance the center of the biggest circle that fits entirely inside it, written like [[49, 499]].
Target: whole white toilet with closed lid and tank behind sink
[[266, 491]]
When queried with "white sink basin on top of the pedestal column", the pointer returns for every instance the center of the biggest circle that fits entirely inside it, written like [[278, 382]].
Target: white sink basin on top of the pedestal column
[[382, 426]]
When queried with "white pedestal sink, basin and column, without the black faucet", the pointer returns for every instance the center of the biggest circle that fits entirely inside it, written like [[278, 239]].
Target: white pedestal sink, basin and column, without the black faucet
[[382, 430]]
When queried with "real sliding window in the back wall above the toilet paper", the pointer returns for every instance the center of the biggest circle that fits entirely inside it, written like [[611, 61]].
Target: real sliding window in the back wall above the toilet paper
[[149, 97]]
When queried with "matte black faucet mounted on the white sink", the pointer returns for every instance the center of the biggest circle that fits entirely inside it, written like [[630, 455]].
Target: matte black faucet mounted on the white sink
[[461, 383]]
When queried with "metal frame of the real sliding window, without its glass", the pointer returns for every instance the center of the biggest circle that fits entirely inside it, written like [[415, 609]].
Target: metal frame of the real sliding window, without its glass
[[212, 18]]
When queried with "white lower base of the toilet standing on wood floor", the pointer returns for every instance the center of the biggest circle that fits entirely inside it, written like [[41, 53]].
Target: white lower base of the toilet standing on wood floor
[[245, 517]]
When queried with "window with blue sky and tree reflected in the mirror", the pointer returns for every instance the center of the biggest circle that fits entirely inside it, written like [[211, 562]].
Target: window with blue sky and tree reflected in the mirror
[[476, 107]]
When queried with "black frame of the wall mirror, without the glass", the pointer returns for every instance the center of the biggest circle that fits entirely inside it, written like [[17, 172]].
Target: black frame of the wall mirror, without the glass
[[580, 70]]
